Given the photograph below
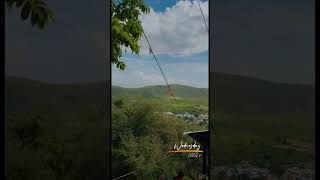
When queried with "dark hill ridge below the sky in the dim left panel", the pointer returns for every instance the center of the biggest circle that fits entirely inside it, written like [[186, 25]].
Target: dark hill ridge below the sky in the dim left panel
[[25, 95]]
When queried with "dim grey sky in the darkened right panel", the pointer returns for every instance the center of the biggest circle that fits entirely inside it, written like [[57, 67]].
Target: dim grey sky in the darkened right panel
[[267, 39]]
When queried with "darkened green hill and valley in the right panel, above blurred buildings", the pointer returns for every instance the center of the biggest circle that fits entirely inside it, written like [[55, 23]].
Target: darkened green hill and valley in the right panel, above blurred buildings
[[269, 124]]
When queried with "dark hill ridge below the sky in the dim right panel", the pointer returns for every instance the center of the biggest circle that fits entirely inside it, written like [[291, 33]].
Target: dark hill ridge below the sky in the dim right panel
[[243, 95]]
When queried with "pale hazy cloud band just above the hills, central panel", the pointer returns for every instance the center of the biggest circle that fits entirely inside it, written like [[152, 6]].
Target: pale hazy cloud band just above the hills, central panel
[[145, 72]]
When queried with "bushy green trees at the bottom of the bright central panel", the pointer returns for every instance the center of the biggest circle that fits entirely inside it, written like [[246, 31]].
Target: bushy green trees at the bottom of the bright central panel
[[141, 136]]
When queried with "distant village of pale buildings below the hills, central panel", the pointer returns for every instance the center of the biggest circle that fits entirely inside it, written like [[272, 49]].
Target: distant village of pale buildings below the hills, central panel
[[190, 118]]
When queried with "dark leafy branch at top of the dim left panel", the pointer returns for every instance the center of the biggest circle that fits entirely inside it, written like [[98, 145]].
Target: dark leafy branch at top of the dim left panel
[[35, 10]]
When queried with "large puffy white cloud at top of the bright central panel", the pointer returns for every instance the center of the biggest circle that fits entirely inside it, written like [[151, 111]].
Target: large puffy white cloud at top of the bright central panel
[[178, 31]]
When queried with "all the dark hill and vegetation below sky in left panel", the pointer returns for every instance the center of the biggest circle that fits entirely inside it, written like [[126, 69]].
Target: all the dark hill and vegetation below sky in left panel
[[55, 131]]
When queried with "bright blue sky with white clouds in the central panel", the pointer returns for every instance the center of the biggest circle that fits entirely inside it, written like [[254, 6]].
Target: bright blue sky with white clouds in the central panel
[[178, 36]]
